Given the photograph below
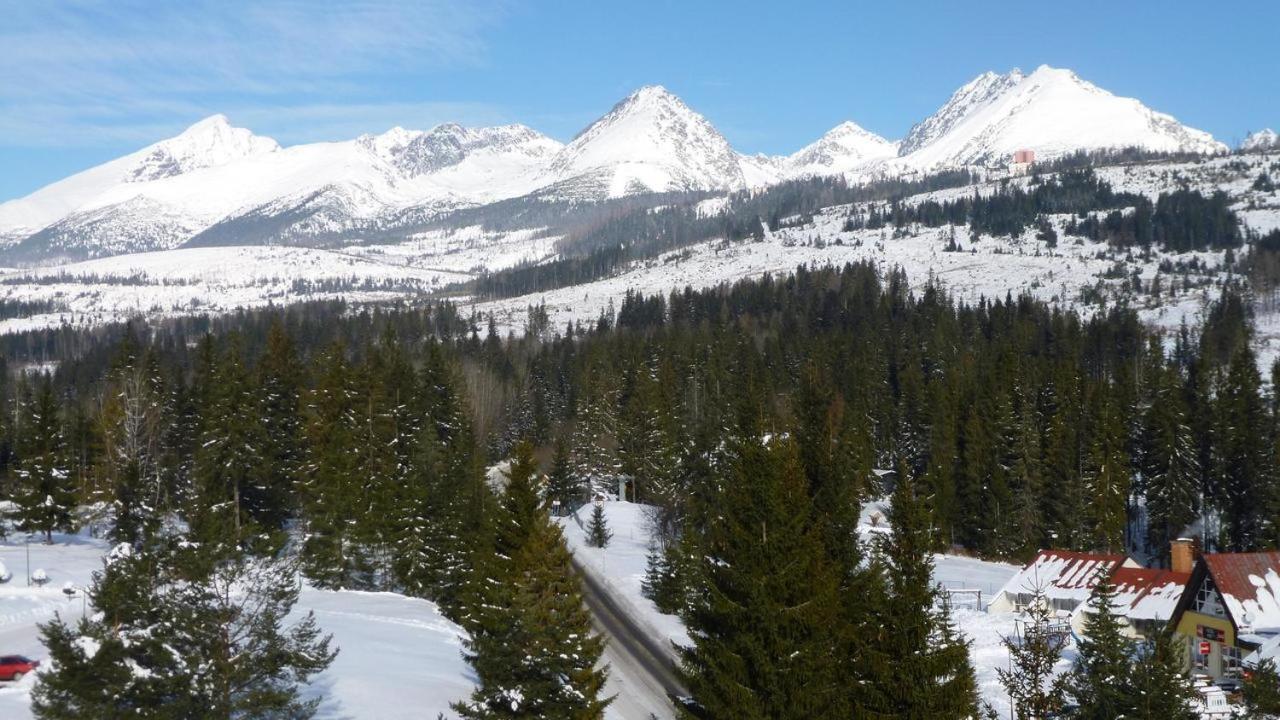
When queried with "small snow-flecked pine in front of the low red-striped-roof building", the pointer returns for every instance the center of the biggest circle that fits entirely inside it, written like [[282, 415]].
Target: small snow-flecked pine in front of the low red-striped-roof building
[[1030, 680]]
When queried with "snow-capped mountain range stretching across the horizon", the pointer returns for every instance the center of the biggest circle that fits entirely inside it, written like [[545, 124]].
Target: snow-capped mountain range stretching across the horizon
[[221, 185]]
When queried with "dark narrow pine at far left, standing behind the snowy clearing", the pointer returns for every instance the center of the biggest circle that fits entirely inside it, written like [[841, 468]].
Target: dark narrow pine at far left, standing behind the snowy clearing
[[44, 491]]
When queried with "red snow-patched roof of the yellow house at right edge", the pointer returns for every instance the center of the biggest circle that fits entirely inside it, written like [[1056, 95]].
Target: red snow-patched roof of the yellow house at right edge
[[1250, 584]]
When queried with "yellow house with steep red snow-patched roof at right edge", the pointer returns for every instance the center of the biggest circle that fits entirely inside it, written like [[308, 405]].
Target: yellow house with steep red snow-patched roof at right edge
[[1229, 610]]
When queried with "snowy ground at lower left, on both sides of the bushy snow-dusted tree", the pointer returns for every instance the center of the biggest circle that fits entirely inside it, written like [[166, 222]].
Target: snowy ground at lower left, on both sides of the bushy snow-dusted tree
[[399, 658]]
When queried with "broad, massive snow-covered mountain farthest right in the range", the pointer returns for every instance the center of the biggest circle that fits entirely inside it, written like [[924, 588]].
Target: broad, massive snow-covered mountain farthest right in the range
[[1053, 112]]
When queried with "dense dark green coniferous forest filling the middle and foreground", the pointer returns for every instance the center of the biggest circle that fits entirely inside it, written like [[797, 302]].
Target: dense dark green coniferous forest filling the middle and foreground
[[351, 445]]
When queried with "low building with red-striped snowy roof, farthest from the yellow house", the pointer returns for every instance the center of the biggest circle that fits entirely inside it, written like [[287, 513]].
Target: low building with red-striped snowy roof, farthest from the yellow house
[[1067, 580]]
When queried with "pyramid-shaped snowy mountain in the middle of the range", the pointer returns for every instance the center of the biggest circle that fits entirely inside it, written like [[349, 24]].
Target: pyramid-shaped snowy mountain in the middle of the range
[[651, 142]]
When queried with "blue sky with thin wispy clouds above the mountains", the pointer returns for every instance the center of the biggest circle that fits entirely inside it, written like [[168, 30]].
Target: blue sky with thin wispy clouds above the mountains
[[86, 81]]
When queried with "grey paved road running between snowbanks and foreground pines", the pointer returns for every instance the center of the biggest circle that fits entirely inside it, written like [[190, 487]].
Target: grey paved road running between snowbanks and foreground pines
[[642, 672]]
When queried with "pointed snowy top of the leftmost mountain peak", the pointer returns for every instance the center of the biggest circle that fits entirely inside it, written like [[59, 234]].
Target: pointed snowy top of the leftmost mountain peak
[[209, 143]]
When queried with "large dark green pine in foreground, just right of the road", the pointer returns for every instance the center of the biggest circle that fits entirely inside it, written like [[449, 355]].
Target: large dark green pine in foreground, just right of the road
[[766, 600]]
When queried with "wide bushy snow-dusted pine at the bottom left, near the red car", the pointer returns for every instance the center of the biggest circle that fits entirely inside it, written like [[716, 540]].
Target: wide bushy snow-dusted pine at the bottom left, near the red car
[[182, 635]]
